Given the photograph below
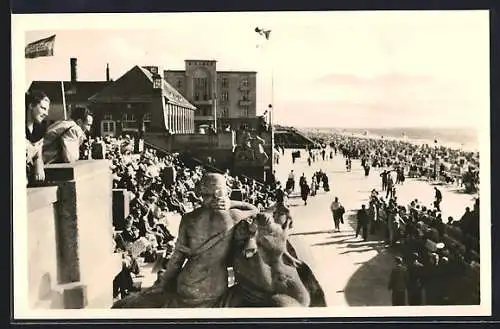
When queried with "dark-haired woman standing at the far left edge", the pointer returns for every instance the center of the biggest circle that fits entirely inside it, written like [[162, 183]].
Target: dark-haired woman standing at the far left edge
[[36, 110]]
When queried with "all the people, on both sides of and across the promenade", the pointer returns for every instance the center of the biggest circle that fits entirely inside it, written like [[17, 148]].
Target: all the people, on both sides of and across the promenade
[[436, 255]]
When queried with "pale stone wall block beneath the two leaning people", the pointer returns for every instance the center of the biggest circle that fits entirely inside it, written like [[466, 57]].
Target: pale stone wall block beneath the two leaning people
[[72, 262]]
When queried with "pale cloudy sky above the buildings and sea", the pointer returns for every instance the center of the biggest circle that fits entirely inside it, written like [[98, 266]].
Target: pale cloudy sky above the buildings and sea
[[319, 69]]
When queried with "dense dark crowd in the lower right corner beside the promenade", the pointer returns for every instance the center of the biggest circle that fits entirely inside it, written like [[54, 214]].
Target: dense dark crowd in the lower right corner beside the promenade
[[436, 256]]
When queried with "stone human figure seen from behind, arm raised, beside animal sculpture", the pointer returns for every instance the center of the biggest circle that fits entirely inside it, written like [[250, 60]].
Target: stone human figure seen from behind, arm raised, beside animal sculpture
[[196, 274]]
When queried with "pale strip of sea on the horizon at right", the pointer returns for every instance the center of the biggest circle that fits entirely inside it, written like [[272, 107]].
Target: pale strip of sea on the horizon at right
[[463, 138]]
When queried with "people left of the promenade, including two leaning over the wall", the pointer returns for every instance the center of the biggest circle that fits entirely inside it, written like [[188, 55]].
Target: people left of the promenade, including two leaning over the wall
[[158, 185]]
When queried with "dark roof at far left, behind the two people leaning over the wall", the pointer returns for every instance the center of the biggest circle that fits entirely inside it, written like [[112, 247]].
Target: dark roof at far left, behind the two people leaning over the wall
[[79, 91]]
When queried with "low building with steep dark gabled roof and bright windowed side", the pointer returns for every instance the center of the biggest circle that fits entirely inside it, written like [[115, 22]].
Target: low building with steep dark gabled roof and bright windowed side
[[141, 101]]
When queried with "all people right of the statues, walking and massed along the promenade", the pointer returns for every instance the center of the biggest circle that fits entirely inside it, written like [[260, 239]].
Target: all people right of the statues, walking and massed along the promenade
[[435, 255]]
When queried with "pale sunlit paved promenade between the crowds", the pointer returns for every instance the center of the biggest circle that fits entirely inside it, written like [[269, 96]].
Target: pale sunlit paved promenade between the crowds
[[353, 272]]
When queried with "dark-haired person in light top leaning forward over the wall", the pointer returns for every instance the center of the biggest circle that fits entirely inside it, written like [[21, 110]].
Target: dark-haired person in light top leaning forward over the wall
[[63, 139]]
